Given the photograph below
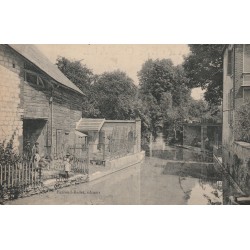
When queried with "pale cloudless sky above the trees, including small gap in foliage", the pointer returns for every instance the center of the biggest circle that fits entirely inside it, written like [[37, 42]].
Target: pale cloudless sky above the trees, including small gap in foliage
[[127, 58]]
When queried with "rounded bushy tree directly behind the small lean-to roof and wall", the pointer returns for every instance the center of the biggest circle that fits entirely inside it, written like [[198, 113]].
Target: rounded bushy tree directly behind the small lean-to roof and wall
[[116, 95]]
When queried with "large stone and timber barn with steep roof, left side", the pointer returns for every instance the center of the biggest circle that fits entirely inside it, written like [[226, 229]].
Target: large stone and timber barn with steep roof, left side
[[37, 102]]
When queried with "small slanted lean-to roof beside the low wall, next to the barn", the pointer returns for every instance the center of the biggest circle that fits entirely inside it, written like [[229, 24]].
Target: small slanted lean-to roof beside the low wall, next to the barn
[[87, 124]]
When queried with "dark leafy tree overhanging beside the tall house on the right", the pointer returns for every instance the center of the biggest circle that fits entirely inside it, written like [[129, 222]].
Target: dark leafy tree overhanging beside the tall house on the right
[[204, 68]]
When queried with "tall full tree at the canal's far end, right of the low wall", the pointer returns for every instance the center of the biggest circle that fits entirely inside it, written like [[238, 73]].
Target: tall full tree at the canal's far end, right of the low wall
[[163, 88]]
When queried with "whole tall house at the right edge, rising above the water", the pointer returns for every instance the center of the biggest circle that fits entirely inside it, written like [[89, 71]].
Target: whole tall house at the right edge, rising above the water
[[236, 93]]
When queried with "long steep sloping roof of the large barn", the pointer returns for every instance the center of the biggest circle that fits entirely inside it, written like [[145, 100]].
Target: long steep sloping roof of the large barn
[[35, 56]]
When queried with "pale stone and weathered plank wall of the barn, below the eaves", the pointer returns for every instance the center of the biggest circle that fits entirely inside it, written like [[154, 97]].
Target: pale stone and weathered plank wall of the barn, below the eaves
[[55, 112]]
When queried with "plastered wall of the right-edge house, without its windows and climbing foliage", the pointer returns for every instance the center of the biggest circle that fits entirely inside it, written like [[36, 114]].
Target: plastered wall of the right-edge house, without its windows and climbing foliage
[[236, 158]]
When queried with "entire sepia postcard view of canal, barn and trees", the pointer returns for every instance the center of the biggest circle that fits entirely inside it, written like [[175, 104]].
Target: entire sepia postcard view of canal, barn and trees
[[124, 124]]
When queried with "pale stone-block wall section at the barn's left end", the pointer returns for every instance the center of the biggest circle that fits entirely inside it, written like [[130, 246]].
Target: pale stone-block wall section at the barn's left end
[[11, 110]]
